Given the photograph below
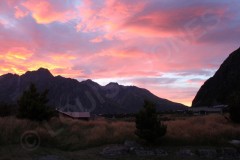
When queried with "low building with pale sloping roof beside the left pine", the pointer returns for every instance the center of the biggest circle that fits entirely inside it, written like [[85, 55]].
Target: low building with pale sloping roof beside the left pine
[[76, 115]]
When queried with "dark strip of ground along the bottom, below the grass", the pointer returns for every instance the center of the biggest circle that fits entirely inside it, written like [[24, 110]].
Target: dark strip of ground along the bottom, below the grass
[[116, 152]]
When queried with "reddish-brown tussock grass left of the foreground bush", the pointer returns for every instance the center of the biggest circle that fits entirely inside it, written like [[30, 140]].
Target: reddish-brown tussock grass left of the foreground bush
[[67, 134]]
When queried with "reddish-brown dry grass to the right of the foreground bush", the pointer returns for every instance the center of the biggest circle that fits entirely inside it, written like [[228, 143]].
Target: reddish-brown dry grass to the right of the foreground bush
[[211, 129]]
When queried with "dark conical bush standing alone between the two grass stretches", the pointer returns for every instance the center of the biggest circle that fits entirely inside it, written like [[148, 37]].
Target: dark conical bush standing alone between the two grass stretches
[[148, 125]]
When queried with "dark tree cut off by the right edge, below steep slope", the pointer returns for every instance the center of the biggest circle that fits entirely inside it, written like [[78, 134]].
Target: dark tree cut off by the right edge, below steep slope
[[234, 107]]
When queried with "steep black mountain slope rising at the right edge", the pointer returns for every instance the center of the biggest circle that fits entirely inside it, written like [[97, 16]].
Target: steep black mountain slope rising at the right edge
[[219, 88]]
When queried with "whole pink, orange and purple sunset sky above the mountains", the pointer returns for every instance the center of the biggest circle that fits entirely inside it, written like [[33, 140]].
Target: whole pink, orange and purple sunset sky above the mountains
[[169, 47]]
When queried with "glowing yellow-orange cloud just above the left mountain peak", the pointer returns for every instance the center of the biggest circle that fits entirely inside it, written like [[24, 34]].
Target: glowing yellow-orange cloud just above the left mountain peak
[[20, 60]]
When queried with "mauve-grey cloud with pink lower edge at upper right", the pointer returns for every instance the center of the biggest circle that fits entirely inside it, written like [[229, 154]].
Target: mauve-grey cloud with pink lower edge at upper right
[[183, 21]]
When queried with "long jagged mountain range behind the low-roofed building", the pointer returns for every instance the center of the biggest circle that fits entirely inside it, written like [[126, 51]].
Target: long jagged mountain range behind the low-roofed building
[[71, 95]]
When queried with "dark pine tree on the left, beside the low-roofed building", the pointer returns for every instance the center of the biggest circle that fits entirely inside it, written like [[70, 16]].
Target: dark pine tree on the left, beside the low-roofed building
[[33, 105]]
